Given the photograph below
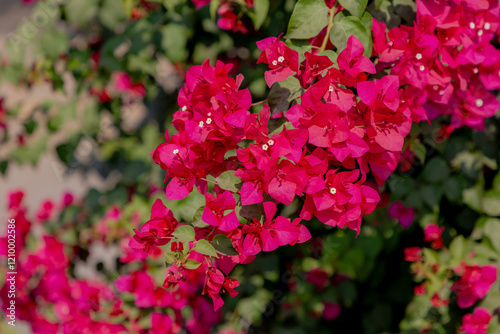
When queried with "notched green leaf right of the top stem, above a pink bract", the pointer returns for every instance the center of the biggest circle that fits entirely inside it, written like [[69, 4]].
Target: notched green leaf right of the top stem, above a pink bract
[[351, 26]]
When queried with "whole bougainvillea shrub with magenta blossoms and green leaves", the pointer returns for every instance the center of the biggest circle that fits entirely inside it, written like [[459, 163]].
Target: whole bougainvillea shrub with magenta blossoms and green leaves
[[370, 105]]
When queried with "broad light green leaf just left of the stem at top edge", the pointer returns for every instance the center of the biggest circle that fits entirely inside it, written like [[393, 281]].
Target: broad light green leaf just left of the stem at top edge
[[309, 17]]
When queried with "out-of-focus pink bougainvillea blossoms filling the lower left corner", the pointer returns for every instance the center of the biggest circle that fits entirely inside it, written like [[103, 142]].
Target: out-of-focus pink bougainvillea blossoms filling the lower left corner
[[51, 297]]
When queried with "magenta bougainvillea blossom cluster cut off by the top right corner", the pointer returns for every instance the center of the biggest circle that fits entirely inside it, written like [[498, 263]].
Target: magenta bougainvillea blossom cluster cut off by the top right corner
[[446, 60]]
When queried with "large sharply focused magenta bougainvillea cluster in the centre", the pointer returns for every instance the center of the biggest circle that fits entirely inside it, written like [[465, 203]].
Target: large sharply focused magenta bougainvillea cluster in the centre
[[323, 154]]
